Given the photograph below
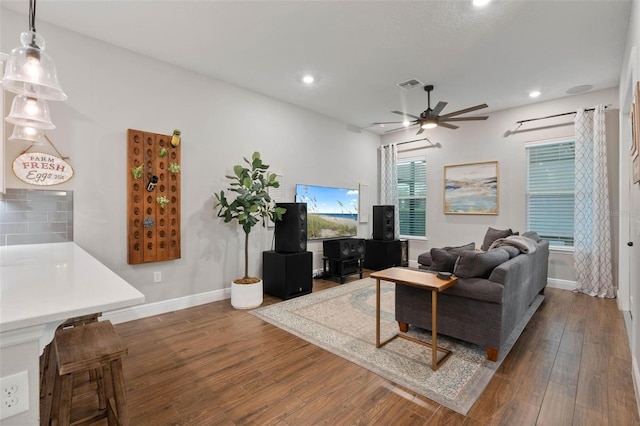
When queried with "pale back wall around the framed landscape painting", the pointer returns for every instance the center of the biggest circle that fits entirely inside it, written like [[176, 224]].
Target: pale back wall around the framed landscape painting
[[488, 141]]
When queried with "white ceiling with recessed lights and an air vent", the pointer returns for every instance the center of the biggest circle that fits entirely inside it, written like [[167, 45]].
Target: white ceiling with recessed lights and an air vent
[[360, 50]]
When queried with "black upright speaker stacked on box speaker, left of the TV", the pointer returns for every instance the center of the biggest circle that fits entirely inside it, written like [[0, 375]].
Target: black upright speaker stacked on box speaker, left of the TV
[[291, 231]]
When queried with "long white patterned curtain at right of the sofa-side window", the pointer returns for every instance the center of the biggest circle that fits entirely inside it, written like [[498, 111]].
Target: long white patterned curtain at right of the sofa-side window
[[592, 233]]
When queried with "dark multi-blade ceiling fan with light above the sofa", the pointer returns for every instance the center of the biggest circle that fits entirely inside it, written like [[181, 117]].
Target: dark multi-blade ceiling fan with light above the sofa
[[431, 118]]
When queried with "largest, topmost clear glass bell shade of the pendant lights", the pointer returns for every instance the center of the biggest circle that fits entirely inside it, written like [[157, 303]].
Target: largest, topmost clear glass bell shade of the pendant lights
[[32, 72]]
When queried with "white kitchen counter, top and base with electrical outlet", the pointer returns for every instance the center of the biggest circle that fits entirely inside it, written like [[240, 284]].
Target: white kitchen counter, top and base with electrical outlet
[[41, 286]]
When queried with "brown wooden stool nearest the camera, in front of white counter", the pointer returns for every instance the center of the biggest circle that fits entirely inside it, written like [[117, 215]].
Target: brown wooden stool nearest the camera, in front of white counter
[[94, 346]]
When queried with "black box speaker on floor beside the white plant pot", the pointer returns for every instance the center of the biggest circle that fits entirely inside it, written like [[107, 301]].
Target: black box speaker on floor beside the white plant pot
[[287, 275]]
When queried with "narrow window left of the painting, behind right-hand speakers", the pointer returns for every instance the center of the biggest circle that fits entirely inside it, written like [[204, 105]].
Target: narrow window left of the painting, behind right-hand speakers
[[412, 197]]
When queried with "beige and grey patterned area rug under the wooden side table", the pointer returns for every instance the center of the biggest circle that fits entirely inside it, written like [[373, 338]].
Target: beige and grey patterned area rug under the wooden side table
[[342, 321]]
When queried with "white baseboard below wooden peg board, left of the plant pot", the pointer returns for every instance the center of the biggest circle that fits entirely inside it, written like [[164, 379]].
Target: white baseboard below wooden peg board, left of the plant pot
[[157, 308]]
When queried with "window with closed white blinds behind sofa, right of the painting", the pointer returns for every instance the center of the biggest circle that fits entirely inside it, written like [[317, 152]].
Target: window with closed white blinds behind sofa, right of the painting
[[550, 191]]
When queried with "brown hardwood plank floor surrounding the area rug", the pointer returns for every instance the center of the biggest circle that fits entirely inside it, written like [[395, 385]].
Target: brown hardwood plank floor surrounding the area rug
[[213, 365]]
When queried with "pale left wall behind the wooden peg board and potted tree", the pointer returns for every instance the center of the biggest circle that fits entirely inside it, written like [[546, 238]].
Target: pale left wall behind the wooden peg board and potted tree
[[111, 90]]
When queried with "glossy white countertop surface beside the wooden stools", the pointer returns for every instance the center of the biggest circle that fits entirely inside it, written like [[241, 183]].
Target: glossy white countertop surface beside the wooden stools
[[45, 283]]
